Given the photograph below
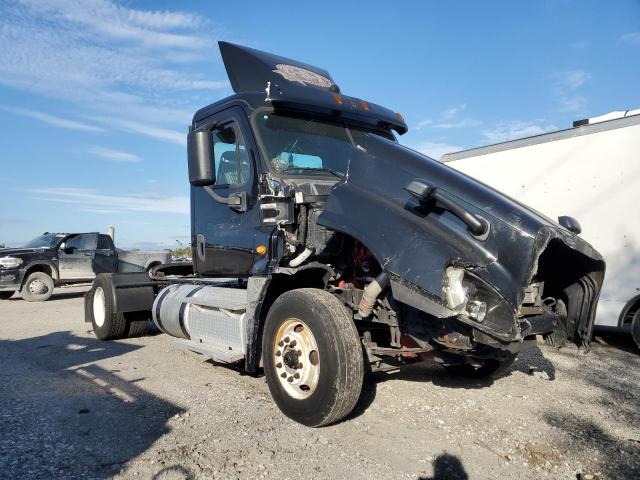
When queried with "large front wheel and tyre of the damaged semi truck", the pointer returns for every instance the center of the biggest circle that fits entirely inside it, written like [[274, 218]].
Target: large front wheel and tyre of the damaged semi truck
[[312, 357]]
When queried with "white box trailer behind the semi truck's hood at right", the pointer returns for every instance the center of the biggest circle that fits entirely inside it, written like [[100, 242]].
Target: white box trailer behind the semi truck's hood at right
[[592, 173]]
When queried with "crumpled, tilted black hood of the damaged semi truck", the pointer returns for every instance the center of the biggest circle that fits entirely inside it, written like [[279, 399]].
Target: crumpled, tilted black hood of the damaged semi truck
[[415, 242]]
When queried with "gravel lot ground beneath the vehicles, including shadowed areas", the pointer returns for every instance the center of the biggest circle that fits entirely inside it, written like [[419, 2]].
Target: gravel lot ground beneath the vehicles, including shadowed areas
[[73, 406]]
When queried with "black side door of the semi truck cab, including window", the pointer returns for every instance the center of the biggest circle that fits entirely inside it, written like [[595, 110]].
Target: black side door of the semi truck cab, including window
[[224, 235]]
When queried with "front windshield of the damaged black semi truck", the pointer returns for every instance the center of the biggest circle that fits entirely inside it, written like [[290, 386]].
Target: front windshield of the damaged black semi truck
[[307, 146]]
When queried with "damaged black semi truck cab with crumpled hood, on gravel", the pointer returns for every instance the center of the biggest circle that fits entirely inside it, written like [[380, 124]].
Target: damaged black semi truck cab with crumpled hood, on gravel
[[322, 248]]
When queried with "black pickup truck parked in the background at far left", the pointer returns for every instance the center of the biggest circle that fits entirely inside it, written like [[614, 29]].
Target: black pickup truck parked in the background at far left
[[54, 259]]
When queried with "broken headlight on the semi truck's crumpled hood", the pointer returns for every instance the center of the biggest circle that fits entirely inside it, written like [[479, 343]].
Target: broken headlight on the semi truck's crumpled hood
[[472, 297]]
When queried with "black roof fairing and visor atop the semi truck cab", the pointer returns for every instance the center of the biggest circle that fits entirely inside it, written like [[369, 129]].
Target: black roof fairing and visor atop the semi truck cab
[[291, 85]]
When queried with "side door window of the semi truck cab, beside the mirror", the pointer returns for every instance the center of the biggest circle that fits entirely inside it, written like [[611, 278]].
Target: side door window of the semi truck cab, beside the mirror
[[232, 164]]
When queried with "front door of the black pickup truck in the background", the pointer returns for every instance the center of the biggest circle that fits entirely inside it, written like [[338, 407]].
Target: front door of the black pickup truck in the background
[[75, 257]]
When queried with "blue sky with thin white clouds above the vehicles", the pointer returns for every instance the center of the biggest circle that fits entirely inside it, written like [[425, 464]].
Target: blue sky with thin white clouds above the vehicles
[[96, 95]]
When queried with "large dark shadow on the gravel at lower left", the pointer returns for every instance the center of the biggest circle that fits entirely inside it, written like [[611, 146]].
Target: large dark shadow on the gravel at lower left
[[65, 416]]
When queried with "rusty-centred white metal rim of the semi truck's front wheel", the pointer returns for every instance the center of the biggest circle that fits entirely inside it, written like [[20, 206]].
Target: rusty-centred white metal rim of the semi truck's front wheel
[[296, 358]]
